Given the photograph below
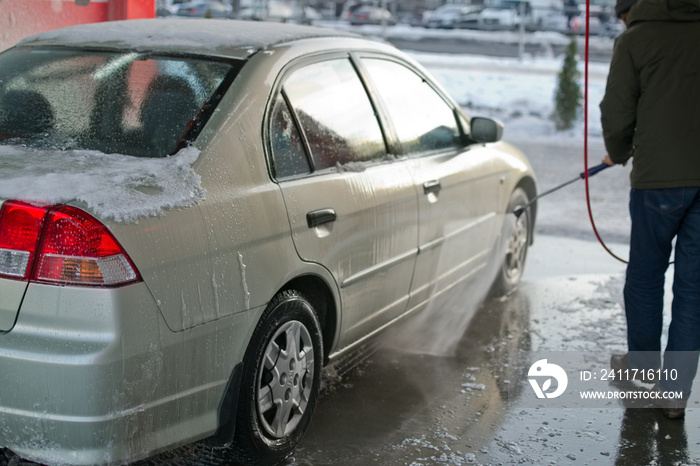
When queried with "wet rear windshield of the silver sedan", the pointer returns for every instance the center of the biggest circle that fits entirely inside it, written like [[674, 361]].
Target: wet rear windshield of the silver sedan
[[129, 103]]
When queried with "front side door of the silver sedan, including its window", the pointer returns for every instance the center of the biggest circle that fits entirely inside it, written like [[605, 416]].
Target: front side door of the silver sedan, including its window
[[457, 184]]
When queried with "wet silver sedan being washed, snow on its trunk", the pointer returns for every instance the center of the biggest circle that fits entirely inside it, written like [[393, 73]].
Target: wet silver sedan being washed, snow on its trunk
[[198, 215]]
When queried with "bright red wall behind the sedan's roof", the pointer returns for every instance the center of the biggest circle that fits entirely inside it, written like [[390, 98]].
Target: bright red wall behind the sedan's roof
[[21, 18]]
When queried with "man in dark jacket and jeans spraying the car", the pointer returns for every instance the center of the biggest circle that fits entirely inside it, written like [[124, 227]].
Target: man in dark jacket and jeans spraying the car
[[650, 114]]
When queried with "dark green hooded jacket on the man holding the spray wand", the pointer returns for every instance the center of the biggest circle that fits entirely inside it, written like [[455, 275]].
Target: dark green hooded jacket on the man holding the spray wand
[[651, 108]]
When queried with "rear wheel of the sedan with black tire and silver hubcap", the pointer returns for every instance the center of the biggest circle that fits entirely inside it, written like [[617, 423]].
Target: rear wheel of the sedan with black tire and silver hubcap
[[280, 382]]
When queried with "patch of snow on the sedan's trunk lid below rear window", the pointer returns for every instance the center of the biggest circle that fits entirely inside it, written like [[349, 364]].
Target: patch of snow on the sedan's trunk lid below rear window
[[118, 187]]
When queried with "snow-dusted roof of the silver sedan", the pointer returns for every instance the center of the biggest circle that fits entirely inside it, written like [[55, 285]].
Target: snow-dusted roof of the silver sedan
[[228, 38]]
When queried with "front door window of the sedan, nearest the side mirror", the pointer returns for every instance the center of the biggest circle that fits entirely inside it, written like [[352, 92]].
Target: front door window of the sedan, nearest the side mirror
[[424, 122]]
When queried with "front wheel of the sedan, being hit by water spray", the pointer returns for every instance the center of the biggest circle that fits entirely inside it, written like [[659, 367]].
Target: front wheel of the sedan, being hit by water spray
[[516, 242]]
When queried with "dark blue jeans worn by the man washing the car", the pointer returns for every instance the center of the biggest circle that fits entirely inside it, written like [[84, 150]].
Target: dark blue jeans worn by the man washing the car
[[659, 216]]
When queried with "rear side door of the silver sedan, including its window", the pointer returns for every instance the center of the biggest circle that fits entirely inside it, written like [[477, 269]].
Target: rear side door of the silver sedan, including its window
[[351, 208]]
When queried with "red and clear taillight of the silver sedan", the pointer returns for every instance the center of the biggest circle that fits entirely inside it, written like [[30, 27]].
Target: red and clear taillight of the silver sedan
[[61, 245]]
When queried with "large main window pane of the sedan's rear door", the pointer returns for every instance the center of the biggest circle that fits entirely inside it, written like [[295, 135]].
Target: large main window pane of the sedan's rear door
[[335, 113]]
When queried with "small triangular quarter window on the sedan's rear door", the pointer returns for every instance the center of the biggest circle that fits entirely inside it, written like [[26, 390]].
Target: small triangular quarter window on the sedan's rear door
[[288, 154]]
